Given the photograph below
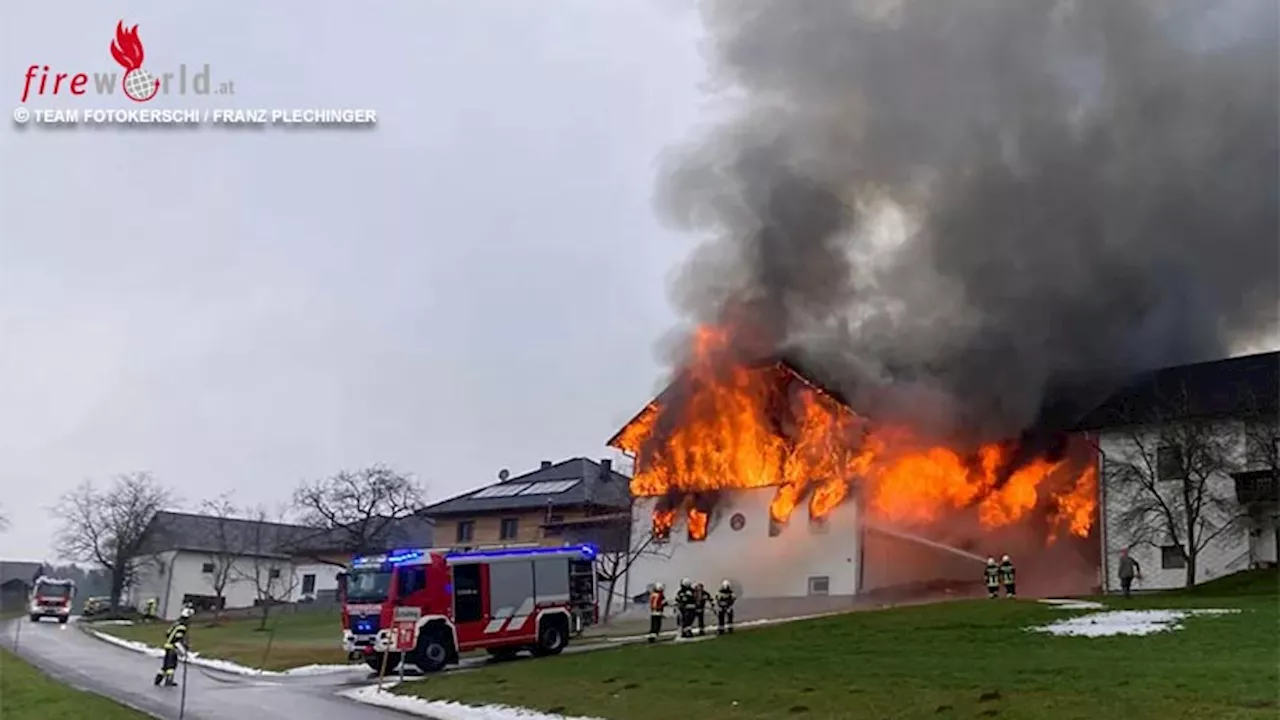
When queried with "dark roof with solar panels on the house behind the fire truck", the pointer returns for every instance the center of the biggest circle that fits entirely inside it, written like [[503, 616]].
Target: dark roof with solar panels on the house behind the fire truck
[[595, 486]]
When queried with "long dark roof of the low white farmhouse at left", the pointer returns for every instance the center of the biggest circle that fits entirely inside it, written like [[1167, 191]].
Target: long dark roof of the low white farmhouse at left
[[236, 536]]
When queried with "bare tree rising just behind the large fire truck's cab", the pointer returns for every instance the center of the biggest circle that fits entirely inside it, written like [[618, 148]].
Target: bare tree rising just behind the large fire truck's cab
[[358, 508]]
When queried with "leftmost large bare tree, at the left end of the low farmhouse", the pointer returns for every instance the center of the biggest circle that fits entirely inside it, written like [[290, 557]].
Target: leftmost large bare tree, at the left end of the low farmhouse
[[109, 527]]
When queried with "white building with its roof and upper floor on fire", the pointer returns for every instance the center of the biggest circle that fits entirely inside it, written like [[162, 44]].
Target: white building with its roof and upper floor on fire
[[752, 471]]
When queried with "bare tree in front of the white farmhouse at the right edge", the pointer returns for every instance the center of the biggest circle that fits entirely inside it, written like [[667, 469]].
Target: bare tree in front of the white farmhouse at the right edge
[[1171, 473]]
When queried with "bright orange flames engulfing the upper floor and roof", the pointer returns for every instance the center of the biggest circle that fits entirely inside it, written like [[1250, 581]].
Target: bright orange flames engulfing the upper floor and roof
[[733, 425]]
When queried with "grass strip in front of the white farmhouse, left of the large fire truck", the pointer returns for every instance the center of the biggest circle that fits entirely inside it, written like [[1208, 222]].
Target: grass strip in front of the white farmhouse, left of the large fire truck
[[291, 640]]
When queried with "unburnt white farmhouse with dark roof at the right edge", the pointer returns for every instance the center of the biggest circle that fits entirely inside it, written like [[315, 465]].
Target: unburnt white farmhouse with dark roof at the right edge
[[1201, 438]]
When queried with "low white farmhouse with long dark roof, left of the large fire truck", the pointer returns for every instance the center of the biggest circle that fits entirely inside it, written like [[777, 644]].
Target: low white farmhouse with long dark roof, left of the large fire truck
[[231, 563]]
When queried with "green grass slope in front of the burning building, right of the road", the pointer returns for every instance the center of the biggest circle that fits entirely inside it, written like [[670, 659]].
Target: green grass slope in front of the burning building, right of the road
[[953, 660]]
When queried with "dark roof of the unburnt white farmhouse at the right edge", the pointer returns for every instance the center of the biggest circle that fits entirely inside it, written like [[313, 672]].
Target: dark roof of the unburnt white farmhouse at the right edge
[[1244, 386]]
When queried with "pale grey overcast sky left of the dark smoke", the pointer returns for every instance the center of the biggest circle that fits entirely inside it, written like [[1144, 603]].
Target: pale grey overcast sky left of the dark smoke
[[477, 284]]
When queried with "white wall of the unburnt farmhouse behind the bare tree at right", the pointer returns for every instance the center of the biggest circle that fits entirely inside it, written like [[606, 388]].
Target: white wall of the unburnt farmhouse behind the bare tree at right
[[1227, 554]]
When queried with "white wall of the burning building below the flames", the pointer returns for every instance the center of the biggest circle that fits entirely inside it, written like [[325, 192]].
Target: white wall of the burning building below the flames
[[757, 564]]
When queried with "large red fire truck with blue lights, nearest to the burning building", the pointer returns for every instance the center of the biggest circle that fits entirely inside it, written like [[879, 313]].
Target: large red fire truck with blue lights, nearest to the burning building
[[427, 607]]
